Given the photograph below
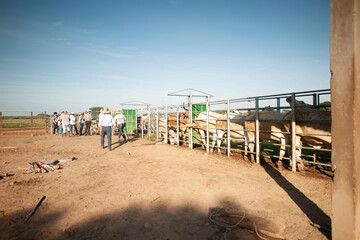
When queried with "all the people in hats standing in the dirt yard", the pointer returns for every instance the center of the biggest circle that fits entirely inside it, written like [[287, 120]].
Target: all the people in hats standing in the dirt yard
[[66, 125]]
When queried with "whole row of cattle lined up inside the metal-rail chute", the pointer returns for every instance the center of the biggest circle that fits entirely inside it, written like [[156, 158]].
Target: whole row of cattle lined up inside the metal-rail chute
[[312, 127]]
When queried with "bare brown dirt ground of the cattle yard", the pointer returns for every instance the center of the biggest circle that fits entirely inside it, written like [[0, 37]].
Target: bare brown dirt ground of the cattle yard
[[148, 190]]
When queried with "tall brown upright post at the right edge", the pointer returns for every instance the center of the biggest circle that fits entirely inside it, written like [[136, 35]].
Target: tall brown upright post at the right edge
[[345, 94]]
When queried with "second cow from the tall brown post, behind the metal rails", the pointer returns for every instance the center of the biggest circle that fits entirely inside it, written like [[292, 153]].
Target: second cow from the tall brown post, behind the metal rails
[[270, 128]]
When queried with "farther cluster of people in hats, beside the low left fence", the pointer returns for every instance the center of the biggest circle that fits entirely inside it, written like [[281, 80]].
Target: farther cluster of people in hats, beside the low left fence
[[65, 124]]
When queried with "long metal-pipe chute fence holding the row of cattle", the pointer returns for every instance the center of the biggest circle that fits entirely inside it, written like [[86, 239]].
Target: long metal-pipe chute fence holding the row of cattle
[[269, 125]]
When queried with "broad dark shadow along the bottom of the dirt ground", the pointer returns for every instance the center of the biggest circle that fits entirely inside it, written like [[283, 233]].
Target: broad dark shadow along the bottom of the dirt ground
[[136, 222]]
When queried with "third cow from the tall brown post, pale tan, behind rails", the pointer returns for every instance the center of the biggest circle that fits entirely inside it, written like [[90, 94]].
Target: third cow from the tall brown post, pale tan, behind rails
[[237, 121]]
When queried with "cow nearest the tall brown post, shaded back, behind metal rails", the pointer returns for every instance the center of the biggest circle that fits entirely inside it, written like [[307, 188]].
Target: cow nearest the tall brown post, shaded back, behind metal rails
[[313, 127]]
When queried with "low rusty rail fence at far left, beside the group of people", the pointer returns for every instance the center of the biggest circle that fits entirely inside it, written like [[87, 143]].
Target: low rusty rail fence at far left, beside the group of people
[[23, 122]]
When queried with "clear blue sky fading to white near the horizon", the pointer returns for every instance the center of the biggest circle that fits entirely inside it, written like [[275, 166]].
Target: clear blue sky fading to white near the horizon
[[73, 55]]
